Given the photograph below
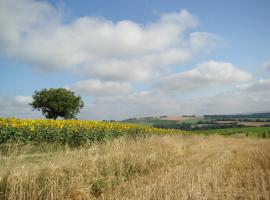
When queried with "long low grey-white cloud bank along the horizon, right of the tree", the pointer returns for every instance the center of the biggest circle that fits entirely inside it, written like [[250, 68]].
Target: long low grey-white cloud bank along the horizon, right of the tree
[[250, 98]]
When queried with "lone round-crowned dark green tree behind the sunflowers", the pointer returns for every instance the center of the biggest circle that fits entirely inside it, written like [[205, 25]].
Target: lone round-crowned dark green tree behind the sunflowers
[[57, 103]]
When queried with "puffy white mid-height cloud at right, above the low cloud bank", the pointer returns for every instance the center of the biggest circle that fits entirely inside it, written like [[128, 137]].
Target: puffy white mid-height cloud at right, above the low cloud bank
[[211, 73]]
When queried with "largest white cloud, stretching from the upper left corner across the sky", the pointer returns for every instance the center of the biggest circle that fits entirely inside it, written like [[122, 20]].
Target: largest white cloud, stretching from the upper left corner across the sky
[[34, 32]]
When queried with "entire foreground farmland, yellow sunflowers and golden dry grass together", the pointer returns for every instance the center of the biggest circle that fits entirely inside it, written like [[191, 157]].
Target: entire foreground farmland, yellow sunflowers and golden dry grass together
[[73, 159]]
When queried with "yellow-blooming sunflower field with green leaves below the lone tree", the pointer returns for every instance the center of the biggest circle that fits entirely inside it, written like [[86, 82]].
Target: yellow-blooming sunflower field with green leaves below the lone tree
[[71, 132]]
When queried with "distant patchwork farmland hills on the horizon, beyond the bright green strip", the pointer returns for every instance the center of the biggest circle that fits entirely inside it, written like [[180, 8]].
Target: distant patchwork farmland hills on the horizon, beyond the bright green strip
[[206, 122]]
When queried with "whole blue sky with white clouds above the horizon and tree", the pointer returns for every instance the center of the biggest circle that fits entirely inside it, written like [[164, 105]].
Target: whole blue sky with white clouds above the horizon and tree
[[139, 58]]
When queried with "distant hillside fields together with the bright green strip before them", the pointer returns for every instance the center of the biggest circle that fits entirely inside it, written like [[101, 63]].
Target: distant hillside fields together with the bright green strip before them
[[224, 125]]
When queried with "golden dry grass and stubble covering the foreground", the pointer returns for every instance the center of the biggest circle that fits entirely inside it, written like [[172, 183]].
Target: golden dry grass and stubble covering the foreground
[[168, 167]]
